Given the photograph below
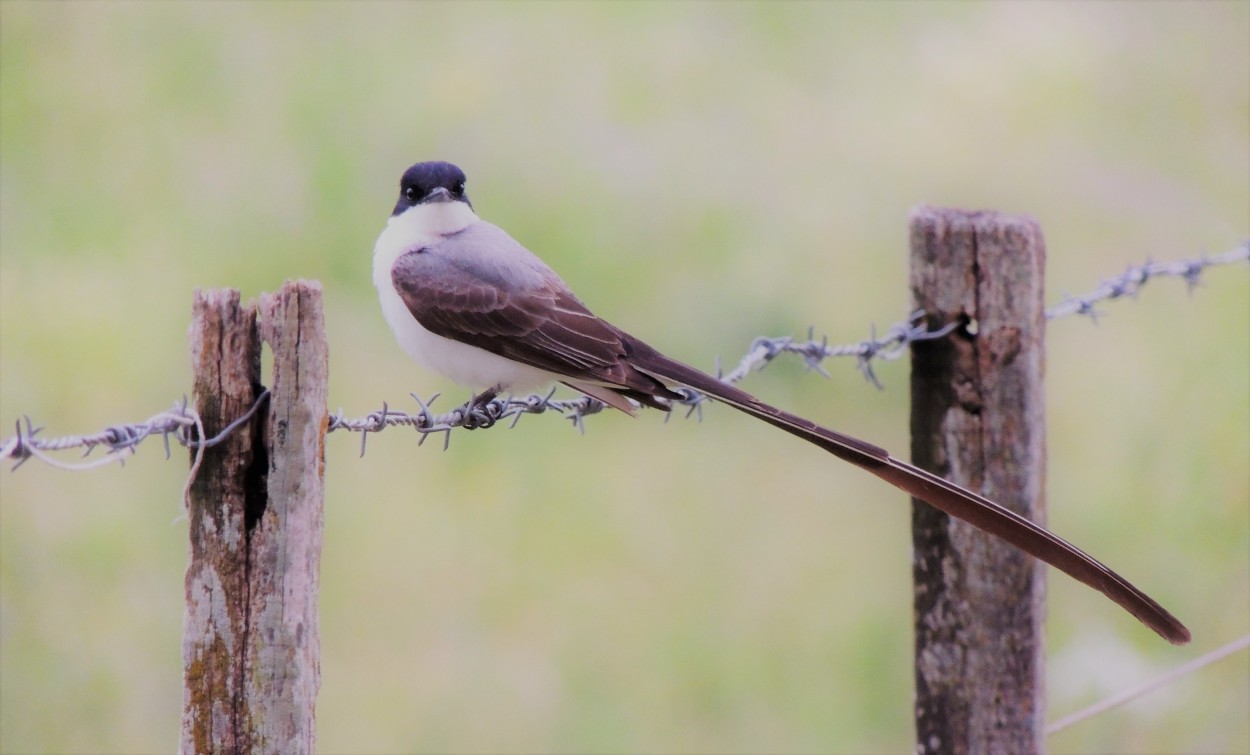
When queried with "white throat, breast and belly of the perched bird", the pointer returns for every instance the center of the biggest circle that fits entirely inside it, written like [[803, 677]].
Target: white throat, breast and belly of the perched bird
[[463, 364]]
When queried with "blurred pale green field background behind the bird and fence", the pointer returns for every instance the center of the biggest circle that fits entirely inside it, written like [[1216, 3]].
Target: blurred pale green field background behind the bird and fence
[[744, 171]]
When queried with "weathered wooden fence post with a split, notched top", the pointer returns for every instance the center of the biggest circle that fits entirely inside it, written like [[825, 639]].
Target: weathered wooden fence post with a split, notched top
[[256, 508]]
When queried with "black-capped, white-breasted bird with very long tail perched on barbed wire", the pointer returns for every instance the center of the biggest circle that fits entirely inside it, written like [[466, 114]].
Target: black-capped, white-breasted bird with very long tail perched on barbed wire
[[471, 303]]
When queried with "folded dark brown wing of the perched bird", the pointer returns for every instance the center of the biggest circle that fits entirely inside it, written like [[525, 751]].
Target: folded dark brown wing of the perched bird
[[542, 326]]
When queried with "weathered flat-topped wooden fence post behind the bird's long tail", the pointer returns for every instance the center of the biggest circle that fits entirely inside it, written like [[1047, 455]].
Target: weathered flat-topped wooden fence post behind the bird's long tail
[[978, 421]]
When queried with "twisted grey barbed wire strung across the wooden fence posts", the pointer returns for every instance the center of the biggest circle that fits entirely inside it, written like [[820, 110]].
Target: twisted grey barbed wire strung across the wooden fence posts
[[122, 441]]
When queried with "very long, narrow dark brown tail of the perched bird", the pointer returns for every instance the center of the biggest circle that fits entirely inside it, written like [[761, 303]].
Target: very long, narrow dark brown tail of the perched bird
[[942, 494]]
